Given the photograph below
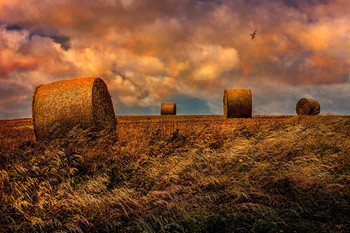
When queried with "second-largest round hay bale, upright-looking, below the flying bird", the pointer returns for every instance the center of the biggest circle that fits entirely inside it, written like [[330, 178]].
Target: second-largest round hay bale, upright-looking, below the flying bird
[[237, 103]]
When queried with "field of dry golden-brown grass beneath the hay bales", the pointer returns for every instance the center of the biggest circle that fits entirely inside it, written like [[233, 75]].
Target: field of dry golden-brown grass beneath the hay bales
[[179, 174]]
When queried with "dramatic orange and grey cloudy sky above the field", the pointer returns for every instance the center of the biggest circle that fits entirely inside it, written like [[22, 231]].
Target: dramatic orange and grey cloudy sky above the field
[[183, 51]]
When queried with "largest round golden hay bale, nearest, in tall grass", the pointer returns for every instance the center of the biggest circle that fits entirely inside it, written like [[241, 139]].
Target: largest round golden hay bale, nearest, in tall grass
[[63, 105]]
